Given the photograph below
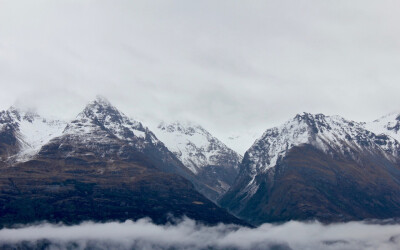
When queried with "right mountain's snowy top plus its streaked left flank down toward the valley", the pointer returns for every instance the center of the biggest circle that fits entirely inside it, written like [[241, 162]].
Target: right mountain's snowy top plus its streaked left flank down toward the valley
[[337, 139]]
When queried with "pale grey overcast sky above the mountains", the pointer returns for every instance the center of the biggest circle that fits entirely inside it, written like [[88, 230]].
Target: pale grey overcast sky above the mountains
[[229, 65]]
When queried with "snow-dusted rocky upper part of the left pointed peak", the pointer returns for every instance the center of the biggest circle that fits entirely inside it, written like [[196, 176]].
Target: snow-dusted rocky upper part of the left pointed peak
[[107, 134]]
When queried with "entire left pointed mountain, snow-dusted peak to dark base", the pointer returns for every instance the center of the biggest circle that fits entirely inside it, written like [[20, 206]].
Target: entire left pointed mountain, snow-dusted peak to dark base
[[103, 166]]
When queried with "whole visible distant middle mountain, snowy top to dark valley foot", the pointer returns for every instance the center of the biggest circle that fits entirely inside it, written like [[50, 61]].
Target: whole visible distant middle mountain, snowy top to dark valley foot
[[204, 155]]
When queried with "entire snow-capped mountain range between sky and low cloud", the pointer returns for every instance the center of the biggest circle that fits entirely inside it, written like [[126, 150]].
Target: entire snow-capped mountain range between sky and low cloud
[[103, 165]]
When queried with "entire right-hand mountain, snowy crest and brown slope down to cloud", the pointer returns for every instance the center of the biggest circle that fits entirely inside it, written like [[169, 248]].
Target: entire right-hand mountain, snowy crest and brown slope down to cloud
[[317, 167]]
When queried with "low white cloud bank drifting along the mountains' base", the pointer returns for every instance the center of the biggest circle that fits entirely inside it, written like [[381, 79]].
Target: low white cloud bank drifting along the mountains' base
[[187, 234]]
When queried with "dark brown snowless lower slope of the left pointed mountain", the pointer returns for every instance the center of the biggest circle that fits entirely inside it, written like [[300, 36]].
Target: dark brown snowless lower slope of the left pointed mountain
[[81, 189]]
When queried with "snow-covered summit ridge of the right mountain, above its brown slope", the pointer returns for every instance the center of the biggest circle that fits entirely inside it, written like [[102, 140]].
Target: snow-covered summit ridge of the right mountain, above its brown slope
[[331, 134]]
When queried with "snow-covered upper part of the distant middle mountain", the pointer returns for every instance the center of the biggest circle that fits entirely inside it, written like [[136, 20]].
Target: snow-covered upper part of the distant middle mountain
[[195, 146]]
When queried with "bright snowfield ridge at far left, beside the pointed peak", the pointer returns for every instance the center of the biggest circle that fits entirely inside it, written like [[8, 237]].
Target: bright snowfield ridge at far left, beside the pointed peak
[[30, 130]]
